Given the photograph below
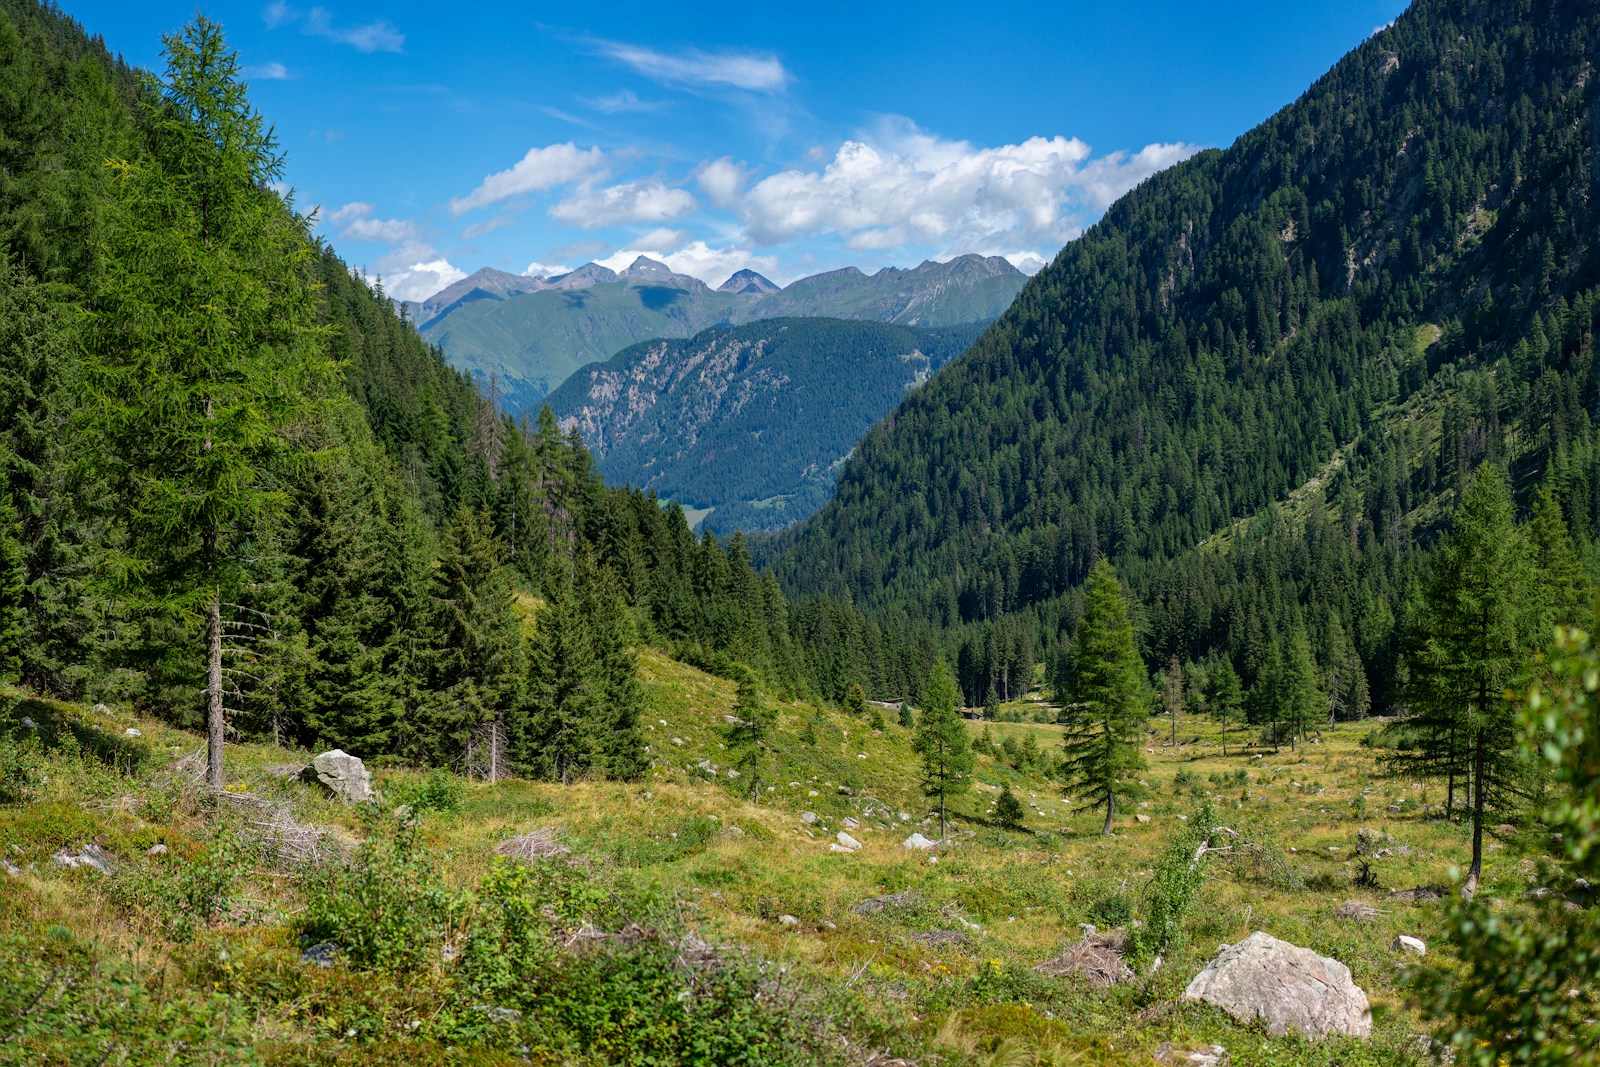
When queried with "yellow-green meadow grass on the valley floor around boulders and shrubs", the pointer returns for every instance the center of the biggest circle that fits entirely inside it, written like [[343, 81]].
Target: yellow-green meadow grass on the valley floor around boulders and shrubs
[[695, 853]]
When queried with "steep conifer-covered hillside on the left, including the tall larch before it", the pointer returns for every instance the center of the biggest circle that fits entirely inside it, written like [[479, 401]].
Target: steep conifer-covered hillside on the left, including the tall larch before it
[[238, 489]]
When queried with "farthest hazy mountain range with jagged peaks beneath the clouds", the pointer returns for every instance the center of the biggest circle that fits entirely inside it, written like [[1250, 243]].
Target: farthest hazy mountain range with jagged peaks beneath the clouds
[[532, 334]]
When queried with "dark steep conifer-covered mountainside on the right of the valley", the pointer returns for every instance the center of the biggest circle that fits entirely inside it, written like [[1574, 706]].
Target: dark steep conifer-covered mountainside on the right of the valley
[[1262, 382]]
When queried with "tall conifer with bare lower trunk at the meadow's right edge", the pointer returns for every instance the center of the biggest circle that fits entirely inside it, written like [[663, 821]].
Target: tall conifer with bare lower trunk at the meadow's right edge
[[1479, 623]]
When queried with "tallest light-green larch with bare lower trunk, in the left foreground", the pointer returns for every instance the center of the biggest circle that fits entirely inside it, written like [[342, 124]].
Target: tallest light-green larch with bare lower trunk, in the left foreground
[[209, 364]]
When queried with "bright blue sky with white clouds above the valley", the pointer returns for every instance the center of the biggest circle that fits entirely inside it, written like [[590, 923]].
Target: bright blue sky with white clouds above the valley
[[439, 138]]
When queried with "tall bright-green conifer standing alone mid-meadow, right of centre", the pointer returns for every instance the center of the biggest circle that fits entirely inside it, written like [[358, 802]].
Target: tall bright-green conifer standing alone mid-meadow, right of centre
[[1108, 709]]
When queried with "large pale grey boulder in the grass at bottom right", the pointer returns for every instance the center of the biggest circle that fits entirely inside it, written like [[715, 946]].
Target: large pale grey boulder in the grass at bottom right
[[1284, 986]]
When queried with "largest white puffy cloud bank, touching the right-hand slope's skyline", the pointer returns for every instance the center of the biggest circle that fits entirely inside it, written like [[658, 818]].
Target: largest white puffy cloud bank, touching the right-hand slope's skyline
[[905, 186]]
